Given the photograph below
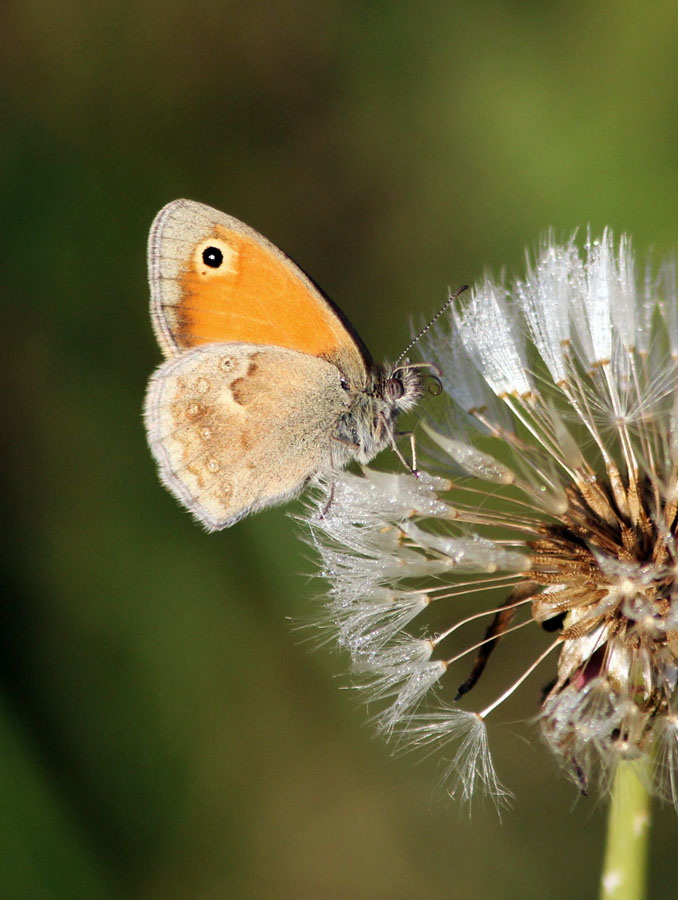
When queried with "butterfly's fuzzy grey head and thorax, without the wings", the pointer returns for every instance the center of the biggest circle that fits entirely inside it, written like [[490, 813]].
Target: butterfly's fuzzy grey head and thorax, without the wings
[[369, 424]]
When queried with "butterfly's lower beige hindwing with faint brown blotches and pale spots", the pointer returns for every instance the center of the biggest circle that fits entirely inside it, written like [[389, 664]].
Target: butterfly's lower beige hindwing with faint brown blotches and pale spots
[[237, 427]]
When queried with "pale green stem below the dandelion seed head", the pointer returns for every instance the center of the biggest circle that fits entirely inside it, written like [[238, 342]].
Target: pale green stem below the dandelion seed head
[[628, 828]]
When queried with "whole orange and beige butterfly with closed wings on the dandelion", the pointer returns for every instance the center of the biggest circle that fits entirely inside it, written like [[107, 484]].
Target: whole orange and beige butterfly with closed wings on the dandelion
[[265, 384]]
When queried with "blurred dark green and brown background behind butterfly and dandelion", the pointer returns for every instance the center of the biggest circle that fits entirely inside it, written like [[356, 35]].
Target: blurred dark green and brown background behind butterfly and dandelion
[[164, 731]]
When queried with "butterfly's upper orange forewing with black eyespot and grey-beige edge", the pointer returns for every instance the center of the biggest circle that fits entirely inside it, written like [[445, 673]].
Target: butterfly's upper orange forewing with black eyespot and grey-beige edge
[[216, 280]]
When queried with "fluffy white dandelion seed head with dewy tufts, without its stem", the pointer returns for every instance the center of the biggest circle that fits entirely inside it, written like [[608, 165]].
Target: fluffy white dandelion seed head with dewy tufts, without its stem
[[552, 471]]
